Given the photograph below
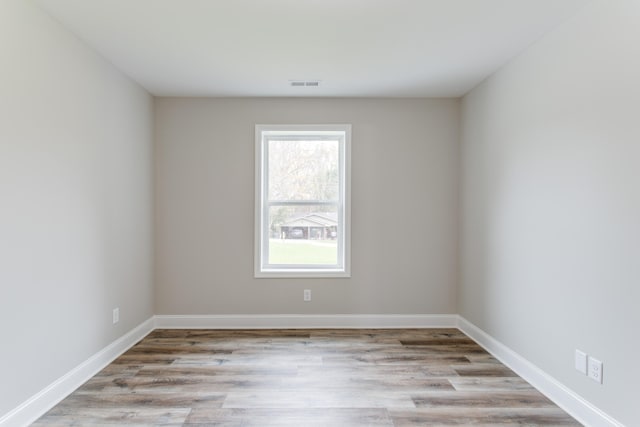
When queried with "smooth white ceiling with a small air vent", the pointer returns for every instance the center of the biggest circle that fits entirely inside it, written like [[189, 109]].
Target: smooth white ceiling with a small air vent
[[416, 48]]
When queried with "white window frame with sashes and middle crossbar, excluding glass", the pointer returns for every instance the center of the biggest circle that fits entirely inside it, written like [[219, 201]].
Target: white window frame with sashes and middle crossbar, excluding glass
[[262, 135]]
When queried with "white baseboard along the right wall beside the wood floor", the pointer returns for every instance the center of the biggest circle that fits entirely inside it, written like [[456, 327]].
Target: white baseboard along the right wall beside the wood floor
[[562, 396]]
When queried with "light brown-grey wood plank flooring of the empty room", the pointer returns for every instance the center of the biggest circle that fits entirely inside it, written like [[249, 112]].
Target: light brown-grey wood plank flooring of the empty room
[[408, 377]]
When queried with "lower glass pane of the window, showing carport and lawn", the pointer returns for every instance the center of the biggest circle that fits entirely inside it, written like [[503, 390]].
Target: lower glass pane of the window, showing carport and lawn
[[303, 235]]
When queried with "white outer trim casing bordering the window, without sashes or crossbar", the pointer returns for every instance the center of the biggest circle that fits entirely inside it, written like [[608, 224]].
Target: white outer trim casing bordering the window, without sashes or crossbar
[[260, 270]]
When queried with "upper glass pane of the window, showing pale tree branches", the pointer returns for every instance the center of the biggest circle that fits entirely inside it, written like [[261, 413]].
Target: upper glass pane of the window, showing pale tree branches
[[303, 170]]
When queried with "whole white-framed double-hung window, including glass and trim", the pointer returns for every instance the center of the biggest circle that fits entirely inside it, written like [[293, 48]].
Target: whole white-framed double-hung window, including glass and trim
[[302, 200]]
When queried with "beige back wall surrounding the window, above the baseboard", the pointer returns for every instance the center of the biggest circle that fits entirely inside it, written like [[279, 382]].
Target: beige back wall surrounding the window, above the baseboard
[[405, 168]]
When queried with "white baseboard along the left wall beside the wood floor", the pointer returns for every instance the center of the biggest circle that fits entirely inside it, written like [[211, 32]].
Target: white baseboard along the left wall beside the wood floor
[[47, 398]]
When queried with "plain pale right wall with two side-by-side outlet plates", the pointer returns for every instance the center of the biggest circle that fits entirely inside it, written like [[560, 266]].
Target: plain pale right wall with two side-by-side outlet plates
[[551, 204]]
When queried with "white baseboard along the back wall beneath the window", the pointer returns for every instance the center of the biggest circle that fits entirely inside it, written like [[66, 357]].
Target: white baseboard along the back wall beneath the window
[[304, 321]]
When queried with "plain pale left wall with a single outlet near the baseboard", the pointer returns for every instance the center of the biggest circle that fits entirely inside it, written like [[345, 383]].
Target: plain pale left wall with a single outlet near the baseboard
[[75, 202]]
